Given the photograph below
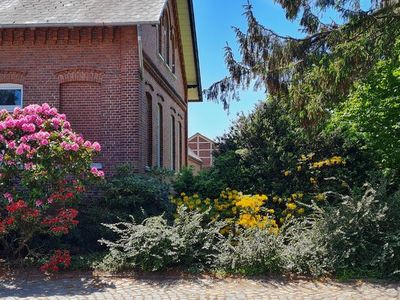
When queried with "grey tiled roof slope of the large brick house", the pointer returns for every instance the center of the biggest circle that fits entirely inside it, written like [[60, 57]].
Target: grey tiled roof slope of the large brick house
[[49, 13]]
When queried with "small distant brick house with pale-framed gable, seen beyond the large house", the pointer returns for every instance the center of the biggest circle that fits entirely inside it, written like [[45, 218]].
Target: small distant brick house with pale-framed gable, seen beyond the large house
[[203, 148]]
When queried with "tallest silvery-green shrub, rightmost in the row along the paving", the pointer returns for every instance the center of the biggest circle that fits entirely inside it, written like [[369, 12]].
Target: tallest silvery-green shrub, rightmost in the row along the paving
[[357, 236]]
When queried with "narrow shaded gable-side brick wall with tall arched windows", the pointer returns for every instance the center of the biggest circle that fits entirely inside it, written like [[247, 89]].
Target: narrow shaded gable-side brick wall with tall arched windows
[[172, 98]]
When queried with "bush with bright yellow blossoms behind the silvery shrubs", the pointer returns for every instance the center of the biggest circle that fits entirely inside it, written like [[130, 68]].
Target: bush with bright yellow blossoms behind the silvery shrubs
[[265, 211]]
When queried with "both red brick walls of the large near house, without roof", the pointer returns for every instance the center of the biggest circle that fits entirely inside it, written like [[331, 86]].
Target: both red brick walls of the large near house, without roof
[[94, 76]]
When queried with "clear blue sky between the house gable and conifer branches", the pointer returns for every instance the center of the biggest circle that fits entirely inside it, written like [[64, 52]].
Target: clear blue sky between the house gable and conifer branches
[[214, 19]]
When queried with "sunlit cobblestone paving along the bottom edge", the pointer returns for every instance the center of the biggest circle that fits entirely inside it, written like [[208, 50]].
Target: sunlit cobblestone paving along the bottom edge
[[87, 287]]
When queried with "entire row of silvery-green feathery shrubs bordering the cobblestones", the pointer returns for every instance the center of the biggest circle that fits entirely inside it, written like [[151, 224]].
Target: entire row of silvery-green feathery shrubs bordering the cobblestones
[[358, 236]]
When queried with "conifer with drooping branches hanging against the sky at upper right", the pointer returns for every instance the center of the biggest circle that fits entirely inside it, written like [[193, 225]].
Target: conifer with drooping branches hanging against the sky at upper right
[[313, 73]]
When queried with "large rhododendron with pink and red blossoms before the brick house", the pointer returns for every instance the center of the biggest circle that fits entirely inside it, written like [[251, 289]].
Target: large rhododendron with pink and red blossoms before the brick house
[[44, 167]]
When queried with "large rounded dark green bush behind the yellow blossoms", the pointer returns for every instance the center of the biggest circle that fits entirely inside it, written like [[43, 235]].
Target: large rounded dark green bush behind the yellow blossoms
[[253, 156]]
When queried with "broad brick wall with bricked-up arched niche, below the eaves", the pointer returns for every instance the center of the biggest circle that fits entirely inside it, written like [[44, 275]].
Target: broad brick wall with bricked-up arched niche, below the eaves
[[91, 74]]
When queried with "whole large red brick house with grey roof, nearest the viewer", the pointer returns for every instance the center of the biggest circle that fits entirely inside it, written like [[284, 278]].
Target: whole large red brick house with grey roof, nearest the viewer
[[123, 71]]
